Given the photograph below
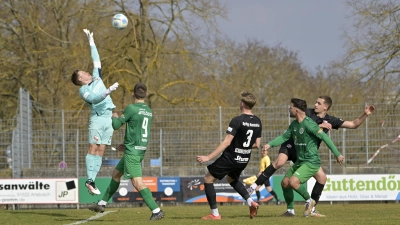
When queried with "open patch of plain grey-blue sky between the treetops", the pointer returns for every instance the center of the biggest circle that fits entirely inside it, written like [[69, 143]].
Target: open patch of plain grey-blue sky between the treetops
[[312, 28]]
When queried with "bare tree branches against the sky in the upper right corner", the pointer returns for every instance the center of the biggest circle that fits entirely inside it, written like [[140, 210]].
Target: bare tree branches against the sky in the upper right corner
[[374, 42]]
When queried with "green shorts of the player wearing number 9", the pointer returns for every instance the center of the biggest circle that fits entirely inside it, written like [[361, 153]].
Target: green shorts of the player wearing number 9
[[130, 166]]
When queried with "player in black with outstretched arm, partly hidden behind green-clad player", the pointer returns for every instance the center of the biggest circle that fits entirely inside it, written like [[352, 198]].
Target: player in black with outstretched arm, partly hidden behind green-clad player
[[288, 152]]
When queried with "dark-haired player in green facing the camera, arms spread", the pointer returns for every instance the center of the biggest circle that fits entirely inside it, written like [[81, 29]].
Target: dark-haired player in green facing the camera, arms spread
[[306, 135]]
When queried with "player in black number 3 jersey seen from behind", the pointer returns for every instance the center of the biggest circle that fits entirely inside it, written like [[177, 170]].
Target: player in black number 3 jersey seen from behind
[[243, 134]]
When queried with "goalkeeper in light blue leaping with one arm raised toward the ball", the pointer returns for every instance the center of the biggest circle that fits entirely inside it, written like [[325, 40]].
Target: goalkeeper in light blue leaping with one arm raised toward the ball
[[96, 95]]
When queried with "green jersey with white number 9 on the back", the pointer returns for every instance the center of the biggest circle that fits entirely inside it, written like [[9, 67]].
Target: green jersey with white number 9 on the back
[[138, 119]]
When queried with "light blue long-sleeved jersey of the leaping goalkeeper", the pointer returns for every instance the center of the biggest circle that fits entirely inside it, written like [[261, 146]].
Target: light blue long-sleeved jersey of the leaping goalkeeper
[[92, 92]]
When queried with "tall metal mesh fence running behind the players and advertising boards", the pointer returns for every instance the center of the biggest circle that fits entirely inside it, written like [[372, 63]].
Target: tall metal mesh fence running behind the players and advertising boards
[[178, 135]]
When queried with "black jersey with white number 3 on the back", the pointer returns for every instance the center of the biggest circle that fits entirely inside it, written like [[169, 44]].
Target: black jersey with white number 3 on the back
[[245, 129]]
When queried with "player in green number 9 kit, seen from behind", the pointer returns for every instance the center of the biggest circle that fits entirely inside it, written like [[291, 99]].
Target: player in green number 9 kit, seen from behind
[[138, 118]]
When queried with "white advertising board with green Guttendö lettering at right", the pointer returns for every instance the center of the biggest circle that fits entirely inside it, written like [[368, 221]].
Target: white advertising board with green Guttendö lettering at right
[[359, 187]]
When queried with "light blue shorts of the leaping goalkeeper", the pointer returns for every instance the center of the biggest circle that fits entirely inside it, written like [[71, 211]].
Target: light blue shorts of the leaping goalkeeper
[[100, 129]]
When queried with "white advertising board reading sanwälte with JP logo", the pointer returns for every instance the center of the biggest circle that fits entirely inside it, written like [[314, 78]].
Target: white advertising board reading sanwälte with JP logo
[[39, 191]]
